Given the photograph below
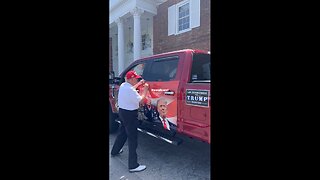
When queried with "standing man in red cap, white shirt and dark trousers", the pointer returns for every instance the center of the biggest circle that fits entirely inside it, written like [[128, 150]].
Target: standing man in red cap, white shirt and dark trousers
[[128, 101]]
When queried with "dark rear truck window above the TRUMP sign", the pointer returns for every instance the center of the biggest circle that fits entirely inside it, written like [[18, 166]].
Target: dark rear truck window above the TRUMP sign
[[200, 71]]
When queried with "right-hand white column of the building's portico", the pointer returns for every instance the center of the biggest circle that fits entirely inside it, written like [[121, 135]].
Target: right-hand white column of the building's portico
[[136, 12]]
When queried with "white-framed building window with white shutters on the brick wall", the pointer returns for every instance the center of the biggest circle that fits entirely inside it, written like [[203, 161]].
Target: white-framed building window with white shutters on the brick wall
[[183, 17]]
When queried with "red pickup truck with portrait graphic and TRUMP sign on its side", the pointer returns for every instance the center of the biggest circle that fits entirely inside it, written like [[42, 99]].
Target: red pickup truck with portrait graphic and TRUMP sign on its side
[[179, 91]]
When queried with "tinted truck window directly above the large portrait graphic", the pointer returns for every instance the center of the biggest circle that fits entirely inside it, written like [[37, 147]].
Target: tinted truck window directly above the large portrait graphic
[[163, 69]]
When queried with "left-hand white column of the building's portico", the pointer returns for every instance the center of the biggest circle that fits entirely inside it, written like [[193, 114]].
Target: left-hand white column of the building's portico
[[120, 45]]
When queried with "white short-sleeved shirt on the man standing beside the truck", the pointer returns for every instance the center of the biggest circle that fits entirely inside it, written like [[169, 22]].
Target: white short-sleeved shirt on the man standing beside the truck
[[128, 97]]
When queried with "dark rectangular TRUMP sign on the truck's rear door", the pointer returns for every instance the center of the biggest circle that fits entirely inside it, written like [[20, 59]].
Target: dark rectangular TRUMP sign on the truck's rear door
[[197, 97]]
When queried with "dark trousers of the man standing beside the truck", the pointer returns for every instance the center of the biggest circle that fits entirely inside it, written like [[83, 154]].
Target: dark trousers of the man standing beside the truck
[[128, 129]]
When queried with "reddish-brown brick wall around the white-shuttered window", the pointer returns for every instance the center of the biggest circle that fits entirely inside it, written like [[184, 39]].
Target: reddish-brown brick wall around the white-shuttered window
[[197, 38]]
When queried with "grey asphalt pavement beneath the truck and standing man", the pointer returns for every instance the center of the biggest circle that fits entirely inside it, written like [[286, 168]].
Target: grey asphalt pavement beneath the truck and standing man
[[189, 160]]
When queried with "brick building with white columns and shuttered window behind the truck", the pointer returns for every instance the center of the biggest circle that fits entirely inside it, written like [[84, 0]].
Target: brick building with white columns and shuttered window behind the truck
[[159, 25]]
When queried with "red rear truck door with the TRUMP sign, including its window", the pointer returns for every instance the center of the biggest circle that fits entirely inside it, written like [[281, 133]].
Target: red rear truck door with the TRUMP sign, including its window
[[194, 108]]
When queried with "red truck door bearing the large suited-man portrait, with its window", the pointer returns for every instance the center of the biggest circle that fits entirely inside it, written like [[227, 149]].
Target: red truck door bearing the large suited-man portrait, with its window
[[161, 102]]
